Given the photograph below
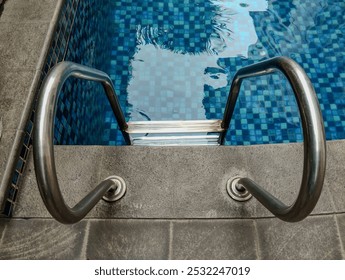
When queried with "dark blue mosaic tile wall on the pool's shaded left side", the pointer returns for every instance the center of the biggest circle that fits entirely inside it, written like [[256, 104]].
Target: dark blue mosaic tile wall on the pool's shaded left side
[[82, 104]]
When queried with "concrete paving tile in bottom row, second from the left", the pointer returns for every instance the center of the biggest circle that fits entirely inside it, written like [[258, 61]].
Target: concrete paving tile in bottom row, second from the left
[[128, 239]]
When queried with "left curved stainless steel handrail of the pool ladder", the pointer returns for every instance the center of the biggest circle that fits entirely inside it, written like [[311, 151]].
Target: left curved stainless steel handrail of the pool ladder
[[43, 141]]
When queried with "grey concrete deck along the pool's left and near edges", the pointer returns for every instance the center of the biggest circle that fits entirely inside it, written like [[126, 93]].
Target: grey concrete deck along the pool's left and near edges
[[176, 206]]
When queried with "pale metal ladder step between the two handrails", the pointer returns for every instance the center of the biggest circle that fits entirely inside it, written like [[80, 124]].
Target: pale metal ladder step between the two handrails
[[174, 133]]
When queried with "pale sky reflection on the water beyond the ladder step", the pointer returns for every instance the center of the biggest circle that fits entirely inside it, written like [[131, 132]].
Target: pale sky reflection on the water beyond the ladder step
[[167, 81]]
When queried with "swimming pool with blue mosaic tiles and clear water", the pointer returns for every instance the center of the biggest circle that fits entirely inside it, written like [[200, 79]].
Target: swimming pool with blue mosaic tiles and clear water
[[174, 60]]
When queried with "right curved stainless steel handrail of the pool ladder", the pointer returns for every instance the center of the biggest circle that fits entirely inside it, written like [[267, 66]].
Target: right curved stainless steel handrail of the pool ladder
[[313, 132]]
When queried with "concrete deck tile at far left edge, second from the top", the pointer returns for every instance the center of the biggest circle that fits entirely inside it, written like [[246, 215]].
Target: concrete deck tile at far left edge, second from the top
[[23, 42]]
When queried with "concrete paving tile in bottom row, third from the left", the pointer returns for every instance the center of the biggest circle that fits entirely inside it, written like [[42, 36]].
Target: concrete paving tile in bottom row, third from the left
[[214, 239]]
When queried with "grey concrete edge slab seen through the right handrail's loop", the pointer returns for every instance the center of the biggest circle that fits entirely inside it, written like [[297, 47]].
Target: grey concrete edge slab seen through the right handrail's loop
[[278, 169]]
